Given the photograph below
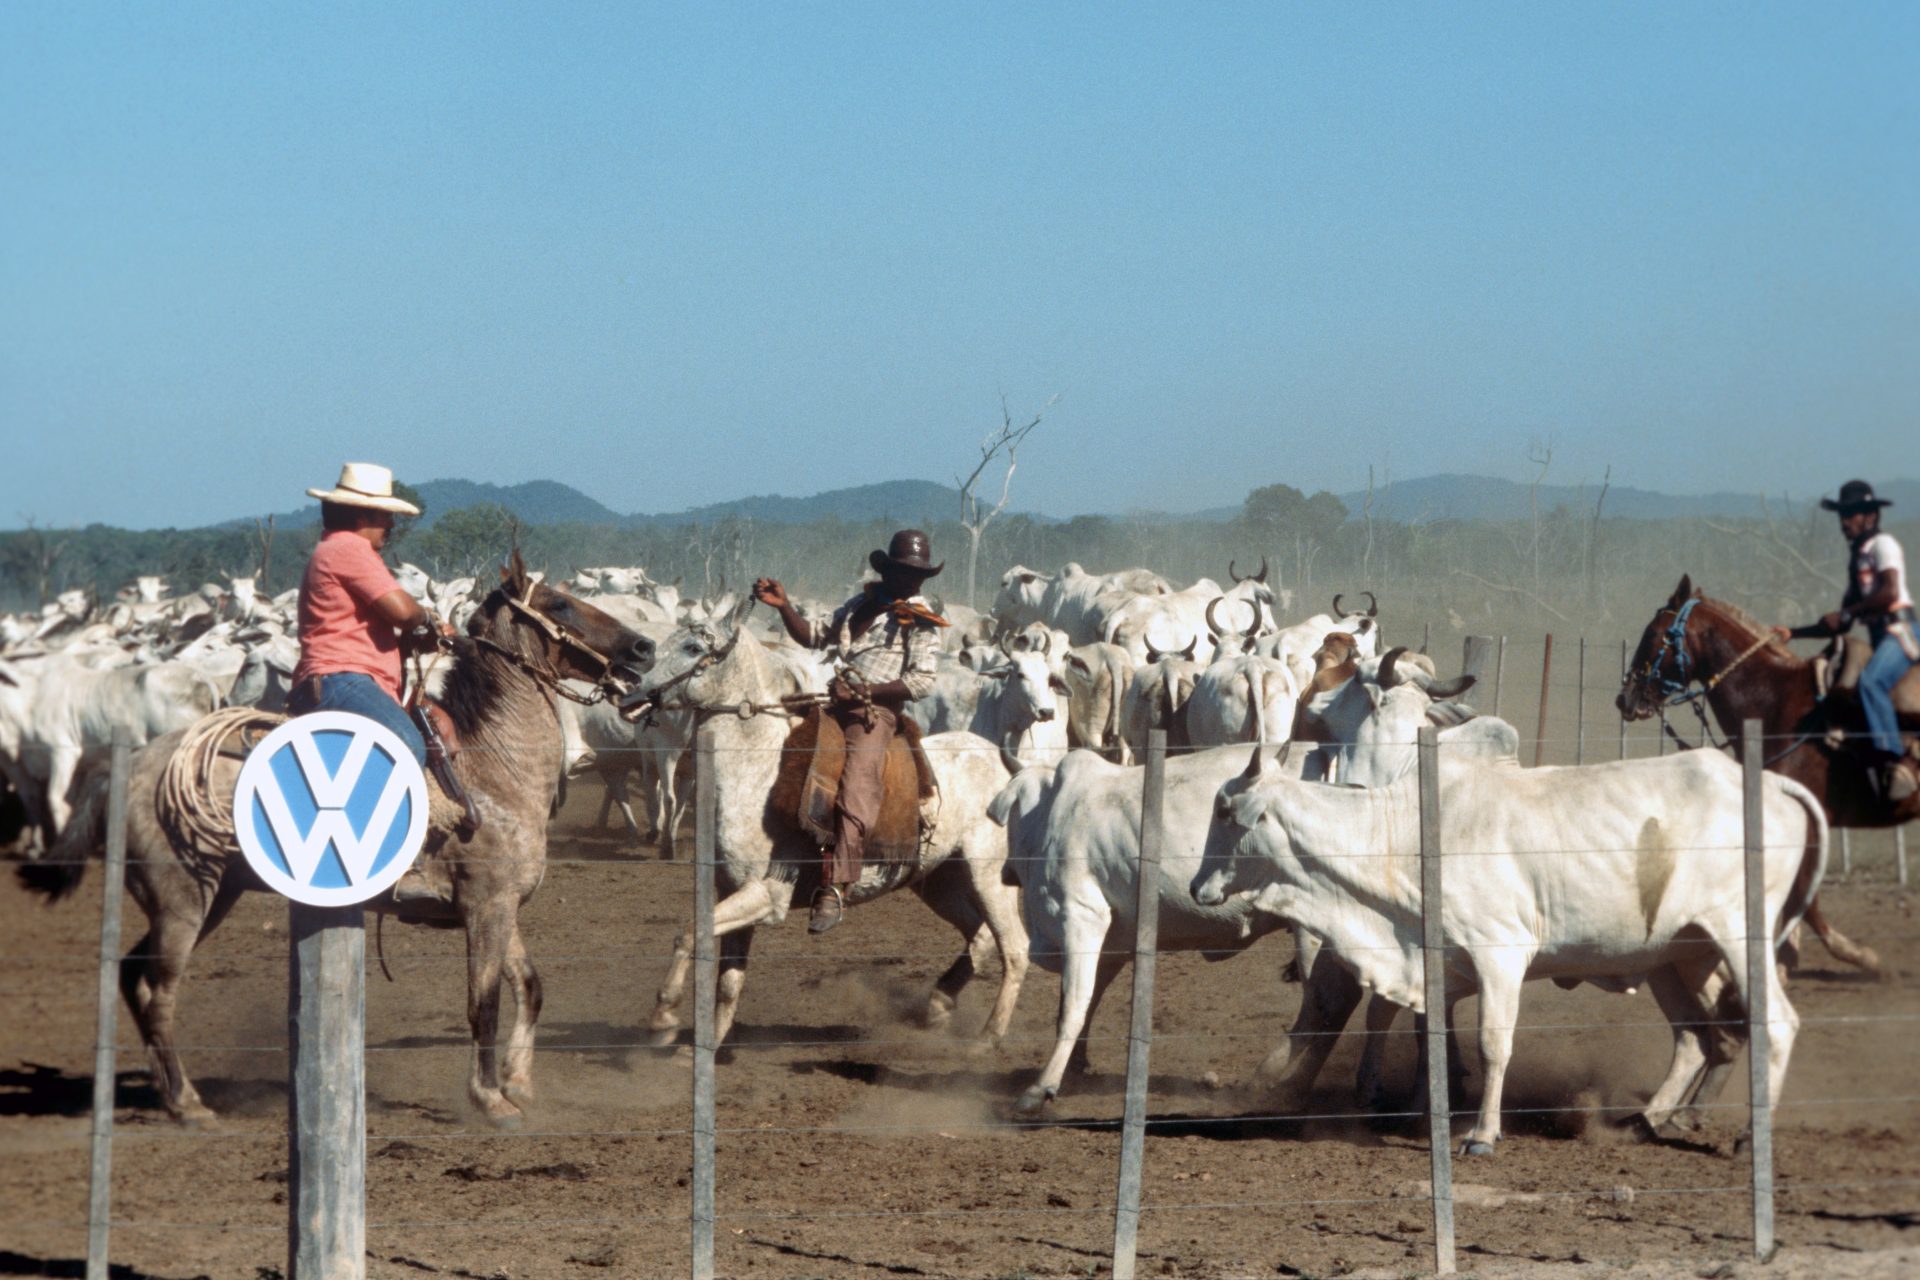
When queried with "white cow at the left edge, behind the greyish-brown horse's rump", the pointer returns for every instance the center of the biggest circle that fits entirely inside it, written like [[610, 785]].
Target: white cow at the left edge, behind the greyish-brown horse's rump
[[57, 713]]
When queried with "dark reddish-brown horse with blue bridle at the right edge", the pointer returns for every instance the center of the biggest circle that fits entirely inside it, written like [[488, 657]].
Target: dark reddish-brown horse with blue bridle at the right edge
[[1742, 673]]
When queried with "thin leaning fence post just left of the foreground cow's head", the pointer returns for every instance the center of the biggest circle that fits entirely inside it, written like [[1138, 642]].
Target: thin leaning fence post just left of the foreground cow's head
[[1141, 1028]]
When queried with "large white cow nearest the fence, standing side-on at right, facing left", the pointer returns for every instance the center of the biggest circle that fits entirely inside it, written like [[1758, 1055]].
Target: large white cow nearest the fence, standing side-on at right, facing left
[[1610, 872]]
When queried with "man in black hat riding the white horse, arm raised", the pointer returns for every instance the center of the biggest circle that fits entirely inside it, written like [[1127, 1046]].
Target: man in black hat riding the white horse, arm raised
[[886, 646]]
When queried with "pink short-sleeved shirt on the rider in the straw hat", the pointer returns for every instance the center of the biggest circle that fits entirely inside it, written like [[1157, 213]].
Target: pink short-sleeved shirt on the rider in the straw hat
[[339, 630]]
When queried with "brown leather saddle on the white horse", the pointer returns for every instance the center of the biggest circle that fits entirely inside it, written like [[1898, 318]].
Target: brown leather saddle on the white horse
[[807, 786]]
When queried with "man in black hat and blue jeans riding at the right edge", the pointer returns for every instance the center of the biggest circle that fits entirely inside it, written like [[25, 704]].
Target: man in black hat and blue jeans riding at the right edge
[[1877, 596]]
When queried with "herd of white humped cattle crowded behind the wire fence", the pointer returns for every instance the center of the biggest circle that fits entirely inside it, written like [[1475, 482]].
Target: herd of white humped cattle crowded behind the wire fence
[[1291, 803]]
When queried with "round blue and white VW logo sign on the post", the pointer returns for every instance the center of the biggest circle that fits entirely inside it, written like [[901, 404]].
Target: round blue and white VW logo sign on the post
[[331, 809]]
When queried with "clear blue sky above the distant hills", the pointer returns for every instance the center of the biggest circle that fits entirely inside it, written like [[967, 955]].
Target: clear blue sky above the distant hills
[[679, 254]]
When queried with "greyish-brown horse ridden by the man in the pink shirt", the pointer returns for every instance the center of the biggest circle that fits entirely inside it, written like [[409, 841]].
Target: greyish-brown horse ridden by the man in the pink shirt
[[500, 694]]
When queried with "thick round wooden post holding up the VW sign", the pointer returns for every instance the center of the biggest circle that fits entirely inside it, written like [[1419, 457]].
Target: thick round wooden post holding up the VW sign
[[327, 1102]]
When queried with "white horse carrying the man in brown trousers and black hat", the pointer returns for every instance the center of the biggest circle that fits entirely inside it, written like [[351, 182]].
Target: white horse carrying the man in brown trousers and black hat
[[763, 863]]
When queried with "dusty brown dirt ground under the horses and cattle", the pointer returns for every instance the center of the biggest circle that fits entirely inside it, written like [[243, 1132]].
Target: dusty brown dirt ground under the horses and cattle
[[855, 1143]]
